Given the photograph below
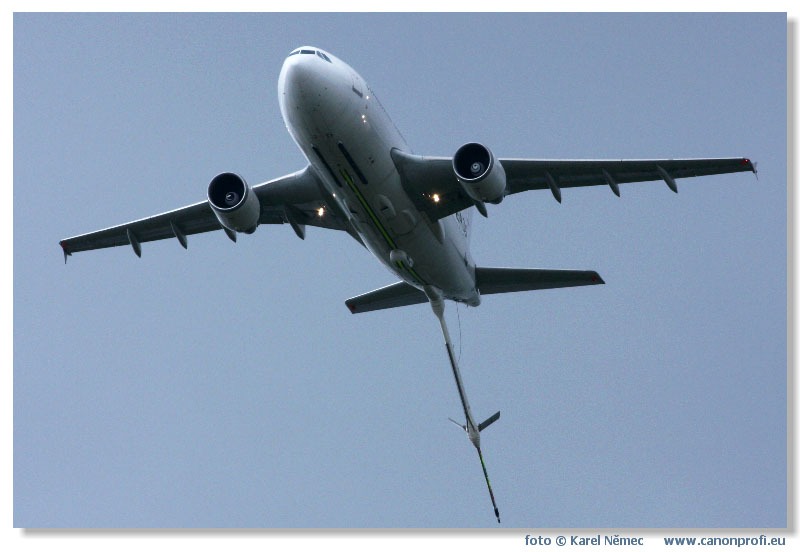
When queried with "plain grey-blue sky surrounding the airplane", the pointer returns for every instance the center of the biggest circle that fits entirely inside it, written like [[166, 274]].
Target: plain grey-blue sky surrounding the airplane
[[228, 385]]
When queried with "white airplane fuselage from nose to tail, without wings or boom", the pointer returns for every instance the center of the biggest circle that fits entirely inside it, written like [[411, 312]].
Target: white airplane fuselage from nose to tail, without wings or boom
[[347, 137]]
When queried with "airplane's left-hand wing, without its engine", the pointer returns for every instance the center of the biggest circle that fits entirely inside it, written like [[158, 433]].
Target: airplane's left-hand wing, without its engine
[[294, 199]]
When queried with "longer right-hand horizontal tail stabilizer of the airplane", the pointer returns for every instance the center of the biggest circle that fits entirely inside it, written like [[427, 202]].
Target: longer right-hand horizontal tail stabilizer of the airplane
[[506, 280]]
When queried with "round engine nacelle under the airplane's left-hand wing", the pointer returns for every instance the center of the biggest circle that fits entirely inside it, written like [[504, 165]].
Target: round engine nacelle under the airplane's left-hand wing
[[234, 203]]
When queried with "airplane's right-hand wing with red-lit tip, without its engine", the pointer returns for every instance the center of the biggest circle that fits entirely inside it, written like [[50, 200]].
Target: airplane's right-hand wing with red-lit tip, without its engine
[[423, 177]]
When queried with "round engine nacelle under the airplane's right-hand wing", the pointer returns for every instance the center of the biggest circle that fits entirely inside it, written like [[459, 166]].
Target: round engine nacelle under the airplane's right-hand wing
[[479, 173]]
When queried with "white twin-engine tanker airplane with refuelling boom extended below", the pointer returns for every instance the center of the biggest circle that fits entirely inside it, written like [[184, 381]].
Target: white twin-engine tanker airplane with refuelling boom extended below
[[412, 212]]
